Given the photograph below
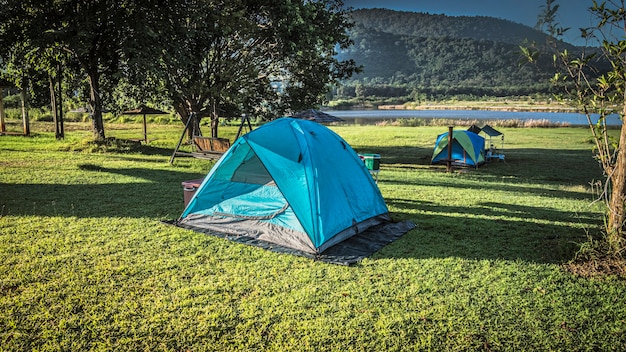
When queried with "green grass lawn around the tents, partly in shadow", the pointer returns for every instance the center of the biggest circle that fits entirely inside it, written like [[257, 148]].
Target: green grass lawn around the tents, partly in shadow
[[87, 264]]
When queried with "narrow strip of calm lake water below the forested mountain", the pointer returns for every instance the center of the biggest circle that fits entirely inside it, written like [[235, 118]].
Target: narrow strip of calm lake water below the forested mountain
[[373, 116]]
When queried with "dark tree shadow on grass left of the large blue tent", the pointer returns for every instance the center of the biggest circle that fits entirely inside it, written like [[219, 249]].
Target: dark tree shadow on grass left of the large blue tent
[[154, 194]]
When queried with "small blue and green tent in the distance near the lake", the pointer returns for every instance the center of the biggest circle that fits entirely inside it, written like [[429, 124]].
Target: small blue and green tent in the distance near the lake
[[468, 149]]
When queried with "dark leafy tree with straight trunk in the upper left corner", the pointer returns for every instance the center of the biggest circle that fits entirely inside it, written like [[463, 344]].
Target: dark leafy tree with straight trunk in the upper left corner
[[85, 36]]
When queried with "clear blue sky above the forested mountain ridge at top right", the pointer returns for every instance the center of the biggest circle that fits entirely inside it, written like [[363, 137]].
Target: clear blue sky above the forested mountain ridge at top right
[[572, 13]]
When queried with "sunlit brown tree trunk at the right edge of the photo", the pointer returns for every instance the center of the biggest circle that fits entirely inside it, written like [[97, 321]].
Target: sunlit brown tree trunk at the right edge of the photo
[[617, 216]]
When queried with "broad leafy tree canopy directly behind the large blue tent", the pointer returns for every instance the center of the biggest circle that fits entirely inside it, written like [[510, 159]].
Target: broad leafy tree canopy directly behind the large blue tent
[[242, 56]]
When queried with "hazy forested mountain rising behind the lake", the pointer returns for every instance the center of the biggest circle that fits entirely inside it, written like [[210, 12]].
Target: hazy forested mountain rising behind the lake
[[409, 54]]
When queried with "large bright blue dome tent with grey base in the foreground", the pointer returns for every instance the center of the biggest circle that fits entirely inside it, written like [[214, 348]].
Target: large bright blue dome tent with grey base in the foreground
[[291, 182]]
